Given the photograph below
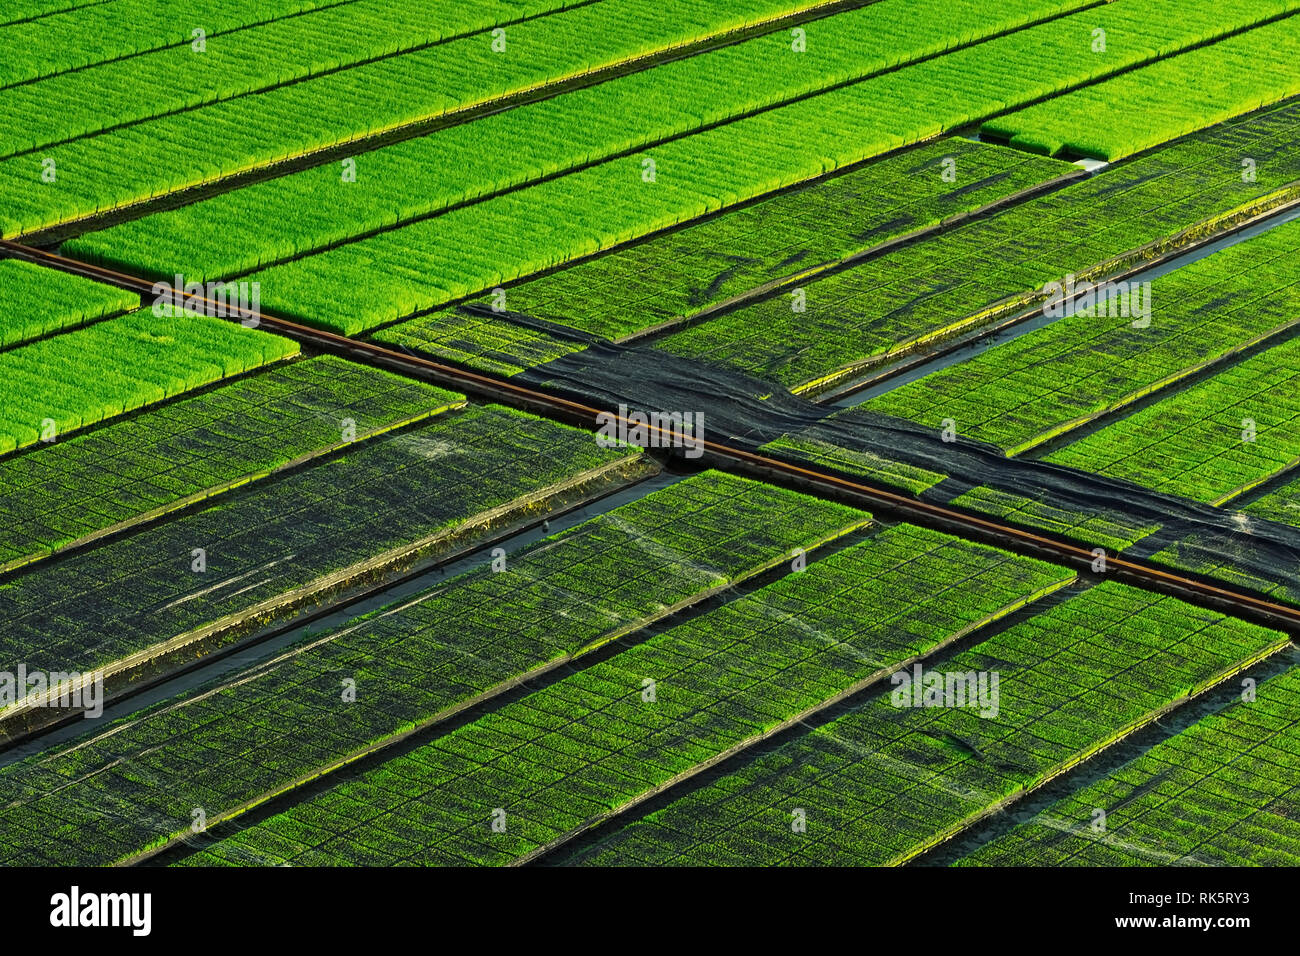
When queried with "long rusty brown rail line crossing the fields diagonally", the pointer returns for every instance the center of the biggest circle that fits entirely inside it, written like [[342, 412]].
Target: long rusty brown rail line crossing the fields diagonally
[[766, 468]]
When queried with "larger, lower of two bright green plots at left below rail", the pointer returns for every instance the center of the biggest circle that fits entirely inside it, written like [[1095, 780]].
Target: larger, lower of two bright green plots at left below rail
[[58, 386]]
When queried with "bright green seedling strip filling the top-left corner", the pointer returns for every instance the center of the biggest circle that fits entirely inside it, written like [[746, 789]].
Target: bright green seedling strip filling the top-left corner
[[73, 34]]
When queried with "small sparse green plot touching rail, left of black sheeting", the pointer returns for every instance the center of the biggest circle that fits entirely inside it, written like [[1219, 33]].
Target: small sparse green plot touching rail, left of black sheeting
[[487, 343]]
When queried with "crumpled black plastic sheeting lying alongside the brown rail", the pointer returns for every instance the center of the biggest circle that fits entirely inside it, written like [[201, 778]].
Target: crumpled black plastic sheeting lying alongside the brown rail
[[748, 413]]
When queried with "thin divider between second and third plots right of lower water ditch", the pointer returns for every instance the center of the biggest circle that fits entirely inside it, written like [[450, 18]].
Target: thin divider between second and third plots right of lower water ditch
[[753, 741]]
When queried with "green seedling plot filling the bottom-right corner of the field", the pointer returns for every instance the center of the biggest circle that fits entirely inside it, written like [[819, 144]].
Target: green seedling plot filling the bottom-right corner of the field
[[1221, 793]]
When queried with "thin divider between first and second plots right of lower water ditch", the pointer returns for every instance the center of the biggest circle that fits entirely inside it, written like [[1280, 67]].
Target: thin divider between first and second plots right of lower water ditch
[[501, 689]]
